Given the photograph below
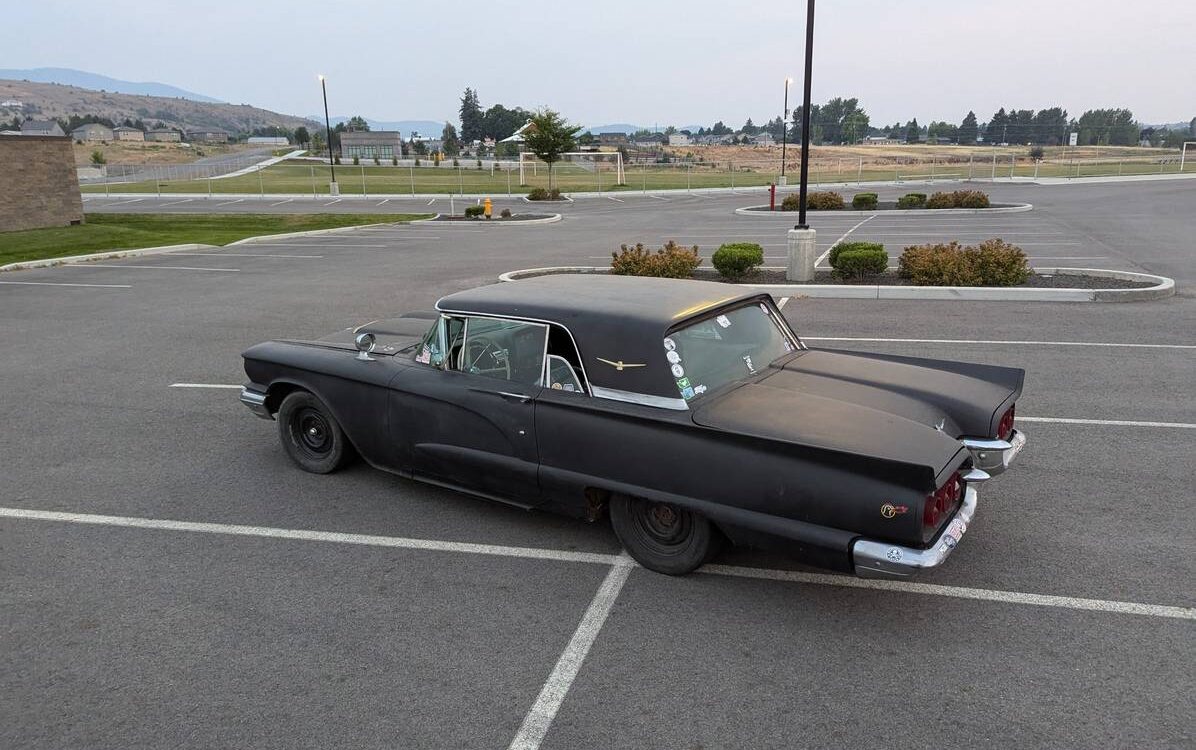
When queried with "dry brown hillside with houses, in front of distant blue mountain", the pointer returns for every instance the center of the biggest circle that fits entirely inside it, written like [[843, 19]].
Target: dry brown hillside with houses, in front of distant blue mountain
[[54, 101]]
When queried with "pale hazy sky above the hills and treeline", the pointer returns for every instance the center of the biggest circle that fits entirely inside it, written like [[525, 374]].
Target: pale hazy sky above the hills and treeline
[[660, 62]]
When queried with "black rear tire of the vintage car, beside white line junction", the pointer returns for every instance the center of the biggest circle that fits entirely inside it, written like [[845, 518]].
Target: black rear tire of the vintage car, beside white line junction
[[663, 538]]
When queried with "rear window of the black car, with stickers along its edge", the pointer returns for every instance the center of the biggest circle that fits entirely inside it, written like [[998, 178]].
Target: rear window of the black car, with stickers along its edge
[[729, 347]]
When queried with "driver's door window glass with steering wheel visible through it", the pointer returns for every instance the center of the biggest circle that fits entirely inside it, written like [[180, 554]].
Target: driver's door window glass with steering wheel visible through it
[[503, 350]]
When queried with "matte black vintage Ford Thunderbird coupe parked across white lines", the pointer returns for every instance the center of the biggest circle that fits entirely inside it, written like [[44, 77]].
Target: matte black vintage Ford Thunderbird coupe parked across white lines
[[688, 412]]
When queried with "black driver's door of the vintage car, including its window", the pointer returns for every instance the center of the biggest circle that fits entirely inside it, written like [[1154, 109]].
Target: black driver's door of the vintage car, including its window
[[466, 411]]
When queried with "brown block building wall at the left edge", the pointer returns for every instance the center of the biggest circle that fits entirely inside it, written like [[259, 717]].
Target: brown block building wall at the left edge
[[39, 186]]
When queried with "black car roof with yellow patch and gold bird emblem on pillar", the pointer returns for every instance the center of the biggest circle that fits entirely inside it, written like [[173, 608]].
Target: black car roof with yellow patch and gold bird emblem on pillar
[[620, 320]]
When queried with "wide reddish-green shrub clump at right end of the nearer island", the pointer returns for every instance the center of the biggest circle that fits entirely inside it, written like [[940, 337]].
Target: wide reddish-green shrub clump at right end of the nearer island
[[993, 263]]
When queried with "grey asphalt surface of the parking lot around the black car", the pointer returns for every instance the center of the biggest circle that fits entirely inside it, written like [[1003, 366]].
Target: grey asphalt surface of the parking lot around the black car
[[150, 636]]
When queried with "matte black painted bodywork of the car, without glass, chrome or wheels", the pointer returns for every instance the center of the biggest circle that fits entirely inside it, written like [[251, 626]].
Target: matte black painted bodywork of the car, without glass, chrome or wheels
[[800, 458]]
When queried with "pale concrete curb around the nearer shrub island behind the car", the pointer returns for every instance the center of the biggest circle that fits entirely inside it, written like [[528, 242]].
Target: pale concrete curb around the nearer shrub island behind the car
[[1163, 288]]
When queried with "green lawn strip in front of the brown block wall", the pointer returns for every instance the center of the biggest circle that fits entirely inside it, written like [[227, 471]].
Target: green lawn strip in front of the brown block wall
[[101, 233]]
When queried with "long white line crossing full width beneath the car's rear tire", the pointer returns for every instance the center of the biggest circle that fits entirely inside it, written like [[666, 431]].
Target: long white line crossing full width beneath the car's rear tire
[[533, 553]]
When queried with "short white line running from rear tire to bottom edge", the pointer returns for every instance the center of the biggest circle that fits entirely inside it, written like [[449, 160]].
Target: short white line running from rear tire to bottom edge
[[538, 722]]
